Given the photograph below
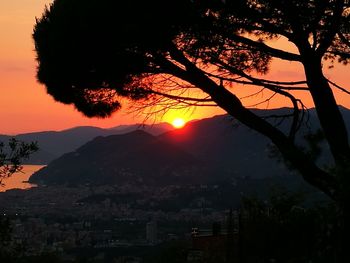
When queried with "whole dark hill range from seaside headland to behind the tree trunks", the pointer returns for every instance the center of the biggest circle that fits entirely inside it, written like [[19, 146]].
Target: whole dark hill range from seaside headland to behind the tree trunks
[[217, 149]]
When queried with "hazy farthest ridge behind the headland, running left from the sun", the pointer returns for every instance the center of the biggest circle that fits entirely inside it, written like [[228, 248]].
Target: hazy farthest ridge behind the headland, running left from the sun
[[52, 144]]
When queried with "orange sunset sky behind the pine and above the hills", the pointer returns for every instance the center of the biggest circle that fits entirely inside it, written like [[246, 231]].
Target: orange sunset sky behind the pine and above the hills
[[24, 104]]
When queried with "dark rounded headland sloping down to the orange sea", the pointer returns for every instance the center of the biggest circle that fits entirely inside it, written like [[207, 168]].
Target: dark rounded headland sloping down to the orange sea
[[135, 157]]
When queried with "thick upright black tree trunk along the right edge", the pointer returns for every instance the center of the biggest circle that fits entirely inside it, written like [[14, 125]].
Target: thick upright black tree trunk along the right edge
[[333, 126]]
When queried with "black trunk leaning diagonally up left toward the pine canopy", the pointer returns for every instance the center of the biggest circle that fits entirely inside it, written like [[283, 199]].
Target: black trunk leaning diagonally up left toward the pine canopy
[[233, 106]]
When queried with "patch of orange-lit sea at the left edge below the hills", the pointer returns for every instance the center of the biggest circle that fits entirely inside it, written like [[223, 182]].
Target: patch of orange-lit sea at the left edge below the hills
[[20, 180]]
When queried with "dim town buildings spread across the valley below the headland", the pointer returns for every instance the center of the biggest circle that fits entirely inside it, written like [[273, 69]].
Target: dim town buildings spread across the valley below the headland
[[60, 219]]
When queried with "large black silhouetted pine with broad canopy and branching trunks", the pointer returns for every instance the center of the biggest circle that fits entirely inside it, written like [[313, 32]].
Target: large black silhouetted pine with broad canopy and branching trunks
[[95, 53]]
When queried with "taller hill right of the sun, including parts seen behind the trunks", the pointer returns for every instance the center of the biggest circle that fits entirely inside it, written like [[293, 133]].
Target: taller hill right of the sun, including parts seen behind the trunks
[[235, 149]]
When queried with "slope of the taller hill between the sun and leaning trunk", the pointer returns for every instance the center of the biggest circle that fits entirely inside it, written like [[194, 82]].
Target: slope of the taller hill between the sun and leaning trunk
[[231, 150]]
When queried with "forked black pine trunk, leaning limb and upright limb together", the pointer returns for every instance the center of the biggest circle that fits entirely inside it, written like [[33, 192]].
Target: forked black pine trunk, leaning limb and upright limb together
[[334, 185]]
